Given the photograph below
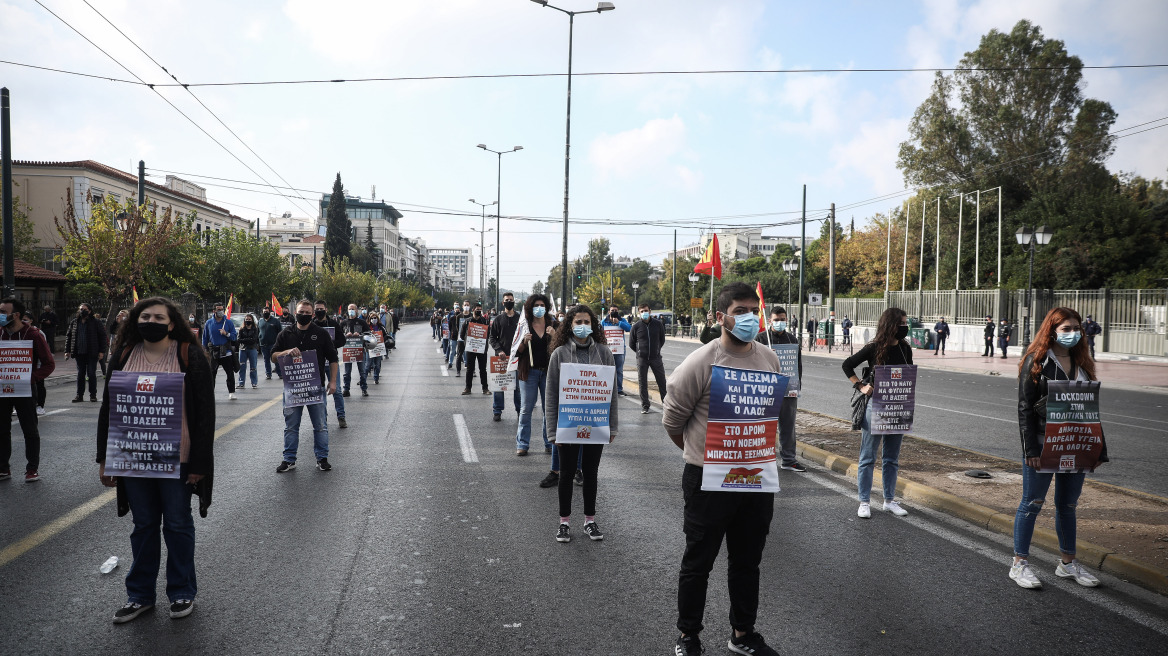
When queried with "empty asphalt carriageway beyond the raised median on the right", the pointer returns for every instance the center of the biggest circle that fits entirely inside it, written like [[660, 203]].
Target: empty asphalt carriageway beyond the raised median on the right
[[979, 413]]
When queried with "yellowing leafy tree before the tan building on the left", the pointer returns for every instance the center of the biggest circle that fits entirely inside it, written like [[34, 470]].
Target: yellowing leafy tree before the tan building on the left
[[117, 243]]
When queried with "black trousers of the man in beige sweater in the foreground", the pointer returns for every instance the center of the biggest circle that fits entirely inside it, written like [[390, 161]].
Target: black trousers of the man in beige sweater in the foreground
[[745, 520]]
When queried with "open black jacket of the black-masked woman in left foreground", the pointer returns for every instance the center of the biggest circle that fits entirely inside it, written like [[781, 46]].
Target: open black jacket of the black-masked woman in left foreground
[[199, 399]]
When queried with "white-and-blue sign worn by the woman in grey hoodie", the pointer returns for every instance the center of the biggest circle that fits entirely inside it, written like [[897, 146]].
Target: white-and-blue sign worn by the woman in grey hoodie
[[586, 396]]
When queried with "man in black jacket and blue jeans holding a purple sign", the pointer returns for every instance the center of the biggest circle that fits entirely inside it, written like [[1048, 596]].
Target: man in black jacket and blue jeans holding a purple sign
[[308, 337]]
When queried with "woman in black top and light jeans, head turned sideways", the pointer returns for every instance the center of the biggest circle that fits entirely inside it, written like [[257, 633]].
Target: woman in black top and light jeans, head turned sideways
[[888, 347]]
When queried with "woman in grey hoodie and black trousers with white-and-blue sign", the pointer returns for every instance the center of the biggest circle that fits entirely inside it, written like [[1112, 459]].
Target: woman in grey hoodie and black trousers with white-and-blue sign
[[581, 409]]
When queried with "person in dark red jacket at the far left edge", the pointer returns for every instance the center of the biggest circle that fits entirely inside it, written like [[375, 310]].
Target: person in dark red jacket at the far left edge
[[41, 361]]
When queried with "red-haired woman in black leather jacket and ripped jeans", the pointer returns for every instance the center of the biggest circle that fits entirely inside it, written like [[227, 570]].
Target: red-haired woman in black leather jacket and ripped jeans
[[1058, 353]]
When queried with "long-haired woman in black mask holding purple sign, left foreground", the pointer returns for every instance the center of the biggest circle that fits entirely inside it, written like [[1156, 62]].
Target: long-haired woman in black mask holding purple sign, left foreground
[[176, 460]]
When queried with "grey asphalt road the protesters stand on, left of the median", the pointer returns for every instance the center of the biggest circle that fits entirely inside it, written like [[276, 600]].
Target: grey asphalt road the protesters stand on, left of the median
[[415, 546]]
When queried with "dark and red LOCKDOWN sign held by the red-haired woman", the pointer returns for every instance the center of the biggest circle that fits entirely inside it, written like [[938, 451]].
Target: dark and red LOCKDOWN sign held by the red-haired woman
[[1074, 439]]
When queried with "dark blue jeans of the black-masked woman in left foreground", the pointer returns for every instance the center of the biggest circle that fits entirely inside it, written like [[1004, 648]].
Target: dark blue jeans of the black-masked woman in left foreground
[[162, 504]]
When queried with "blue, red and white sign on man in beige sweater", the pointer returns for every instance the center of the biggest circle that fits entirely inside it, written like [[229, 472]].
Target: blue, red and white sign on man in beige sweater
[[742, 430]]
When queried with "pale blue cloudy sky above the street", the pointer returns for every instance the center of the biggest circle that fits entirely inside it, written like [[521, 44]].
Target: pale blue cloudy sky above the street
[[673, 150]]
